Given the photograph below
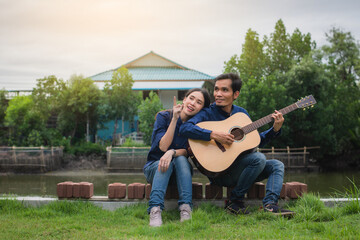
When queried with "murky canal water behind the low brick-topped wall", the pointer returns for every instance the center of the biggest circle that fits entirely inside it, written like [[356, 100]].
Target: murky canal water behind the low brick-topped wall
[[45, 184]]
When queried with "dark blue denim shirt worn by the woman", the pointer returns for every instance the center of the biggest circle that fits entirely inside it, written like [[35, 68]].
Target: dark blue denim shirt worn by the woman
[[161, 125]]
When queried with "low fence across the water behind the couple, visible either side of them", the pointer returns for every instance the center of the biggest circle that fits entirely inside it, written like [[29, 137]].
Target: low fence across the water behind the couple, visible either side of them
[[134, 158]]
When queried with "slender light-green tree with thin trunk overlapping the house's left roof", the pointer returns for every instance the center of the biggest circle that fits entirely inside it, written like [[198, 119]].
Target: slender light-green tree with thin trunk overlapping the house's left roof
[[122, 101]]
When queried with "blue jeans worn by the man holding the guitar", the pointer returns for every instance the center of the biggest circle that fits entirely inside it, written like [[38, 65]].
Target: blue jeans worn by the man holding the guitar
[[250, 168]]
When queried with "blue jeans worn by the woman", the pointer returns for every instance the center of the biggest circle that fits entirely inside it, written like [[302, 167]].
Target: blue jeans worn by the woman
[[181, 170]]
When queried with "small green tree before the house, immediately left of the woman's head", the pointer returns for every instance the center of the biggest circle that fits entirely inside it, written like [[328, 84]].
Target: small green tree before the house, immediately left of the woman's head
[[147, 111]]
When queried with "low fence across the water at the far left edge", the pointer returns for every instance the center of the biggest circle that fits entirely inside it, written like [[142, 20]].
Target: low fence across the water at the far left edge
[[29, 158]]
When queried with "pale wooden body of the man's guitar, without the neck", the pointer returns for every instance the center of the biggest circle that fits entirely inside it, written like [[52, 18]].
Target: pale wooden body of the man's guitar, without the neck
[[212, 159]]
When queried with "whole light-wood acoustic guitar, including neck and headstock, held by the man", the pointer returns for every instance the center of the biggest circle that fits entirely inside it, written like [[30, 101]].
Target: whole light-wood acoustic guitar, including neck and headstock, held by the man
[[213, 159]]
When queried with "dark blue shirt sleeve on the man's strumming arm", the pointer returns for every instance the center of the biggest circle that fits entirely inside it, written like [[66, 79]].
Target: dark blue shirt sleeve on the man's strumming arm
[[190, 130]]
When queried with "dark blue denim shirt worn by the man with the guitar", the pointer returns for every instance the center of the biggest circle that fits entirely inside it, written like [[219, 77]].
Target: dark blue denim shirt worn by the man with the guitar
[[215, 113]]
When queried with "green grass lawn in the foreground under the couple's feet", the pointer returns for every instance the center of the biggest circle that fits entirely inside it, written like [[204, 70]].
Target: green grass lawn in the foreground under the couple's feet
[[82, 220]]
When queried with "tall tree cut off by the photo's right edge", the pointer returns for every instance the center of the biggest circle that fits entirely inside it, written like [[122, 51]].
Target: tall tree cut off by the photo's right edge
[[342, 57]]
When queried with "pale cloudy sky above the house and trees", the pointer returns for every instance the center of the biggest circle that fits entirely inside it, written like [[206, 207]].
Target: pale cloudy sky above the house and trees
[[39, 38]]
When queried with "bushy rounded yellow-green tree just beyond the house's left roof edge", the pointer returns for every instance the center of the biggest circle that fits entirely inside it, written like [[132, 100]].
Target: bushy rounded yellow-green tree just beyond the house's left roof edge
[[79, 102]]
